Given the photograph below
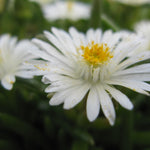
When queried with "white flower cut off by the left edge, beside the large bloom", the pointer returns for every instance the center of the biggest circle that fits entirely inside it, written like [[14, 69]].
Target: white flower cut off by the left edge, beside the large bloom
[[14, 58]]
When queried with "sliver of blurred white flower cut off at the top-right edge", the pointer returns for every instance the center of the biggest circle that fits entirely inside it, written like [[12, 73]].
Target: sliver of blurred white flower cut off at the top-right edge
[[133, 2]]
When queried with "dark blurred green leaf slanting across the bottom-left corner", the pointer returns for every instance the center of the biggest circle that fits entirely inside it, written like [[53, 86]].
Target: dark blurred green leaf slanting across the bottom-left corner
[[23, 129]]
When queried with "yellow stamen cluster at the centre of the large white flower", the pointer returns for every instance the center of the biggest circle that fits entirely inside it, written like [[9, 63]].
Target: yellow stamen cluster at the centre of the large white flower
[[96, 54]]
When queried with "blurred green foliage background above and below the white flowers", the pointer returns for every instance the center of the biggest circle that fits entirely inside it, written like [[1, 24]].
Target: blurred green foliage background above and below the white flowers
[[27, 122]]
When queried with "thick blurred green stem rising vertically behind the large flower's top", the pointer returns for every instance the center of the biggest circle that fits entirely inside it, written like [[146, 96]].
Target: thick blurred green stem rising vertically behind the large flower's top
[[95, 20]]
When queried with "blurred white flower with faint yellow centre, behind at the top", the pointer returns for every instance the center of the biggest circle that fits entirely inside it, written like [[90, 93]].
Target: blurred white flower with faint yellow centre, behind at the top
[[66, 10]]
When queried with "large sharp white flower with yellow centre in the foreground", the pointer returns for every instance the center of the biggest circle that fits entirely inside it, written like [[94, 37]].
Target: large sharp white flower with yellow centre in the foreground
[[90, 65]]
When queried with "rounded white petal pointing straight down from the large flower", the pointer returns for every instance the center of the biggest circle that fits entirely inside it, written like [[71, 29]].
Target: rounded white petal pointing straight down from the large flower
[[93, 105]]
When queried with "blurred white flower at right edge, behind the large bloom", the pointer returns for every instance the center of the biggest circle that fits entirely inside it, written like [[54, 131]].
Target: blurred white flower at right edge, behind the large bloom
[[143, 29]]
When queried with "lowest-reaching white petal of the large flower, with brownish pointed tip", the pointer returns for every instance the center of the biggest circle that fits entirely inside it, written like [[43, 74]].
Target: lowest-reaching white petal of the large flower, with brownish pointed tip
[[107, 105]]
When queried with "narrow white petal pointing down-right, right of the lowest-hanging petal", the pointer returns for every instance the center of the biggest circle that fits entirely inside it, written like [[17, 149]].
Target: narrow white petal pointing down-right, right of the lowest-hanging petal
[[121, 98]]
